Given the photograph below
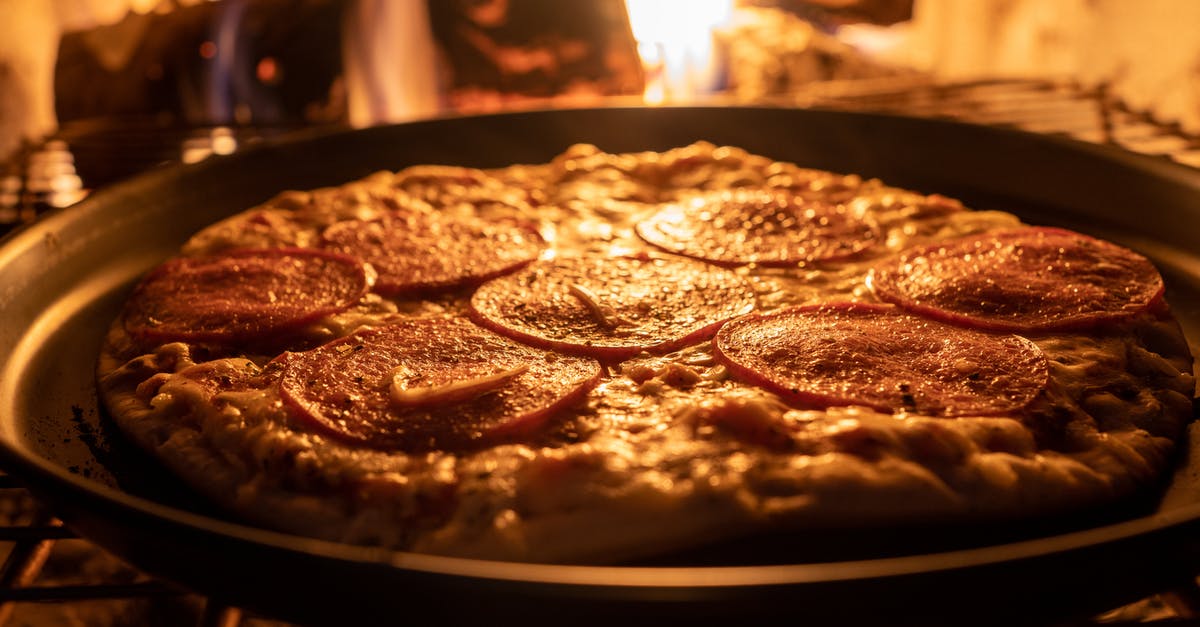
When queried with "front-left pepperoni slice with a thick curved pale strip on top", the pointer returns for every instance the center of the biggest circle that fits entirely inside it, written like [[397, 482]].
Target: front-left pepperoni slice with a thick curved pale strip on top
[[349, 387]]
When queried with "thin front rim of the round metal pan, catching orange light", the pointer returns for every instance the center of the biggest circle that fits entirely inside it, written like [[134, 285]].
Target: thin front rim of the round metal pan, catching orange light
[[62, 482]]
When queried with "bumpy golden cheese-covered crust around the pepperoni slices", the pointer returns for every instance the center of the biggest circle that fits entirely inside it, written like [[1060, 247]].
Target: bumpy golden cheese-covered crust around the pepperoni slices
[[668, 452]]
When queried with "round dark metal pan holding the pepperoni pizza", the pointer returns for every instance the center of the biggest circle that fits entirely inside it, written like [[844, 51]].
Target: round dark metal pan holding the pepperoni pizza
[[63, 279]]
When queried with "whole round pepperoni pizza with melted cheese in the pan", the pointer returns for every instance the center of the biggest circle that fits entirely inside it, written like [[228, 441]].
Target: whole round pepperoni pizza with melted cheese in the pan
[[615, 356]]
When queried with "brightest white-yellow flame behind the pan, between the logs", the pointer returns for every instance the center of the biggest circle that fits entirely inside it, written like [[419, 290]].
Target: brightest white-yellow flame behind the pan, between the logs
[[675, 39]]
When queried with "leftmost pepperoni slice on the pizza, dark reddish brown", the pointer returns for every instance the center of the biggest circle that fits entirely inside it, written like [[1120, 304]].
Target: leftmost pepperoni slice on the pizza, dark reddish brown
[[244, 295]]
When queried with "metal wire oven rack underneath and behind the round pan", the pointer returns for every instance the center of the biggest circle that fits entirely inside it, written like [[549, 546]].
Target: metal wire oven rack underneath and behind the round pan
[[37, 589]]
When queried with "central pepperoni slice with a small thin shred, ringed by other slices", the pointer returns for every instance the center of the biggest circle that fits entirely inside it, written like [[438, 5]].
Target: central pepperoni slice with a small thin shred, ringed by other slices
[[613, 308]]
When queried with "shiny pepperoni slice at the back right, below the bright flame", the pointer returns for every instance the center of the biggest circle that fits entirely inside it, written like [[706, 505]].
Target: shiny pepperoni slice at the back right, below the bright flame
[[765, 228]]
